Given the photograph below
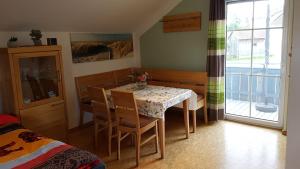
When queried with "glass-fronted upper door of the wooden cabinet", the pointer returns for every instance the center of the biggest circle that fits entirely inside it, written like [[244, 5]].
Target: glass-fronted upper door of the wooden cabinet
[[38, 78]]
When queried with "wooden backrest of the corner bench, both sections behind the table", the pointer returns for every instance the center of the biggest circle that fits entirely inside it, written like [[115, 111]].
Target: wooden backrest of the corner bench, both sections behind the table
[[196, 81]]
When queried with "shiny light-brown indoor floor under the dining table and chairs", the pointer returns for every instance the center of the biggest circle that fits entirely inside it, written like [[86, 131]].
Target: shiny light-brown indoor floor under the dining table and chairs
[[221, 145]]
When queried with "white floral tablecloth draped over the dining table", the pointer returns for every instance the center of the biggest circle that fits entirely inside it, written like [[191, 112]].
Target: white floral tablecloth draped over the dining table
[[153, 101]]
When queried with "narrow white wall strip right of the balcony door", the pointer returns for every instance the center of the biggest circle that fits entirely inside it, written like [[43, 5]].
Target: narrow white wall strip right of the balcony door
[[293, 139]]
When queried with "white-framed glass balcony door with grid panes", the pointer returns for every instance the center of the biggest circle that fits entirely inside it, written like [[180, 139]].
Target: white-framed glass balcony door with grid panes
[[254, 61]]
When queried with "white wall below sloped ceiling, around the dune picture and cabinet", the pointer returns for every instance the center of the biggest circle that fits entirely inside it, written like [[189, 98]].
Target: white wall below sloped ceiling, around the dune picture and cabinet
[[72, 70]]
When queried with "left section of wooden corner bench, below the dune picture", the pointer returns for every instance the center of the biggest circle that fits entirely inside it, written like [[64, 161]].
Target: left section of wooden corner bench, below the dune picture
[[105, 80]]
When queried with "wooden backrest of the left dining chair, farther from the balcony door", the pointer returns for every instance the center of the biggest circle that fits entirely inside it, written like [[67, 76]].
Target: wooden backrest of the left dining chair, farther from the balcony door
[[99, 101]]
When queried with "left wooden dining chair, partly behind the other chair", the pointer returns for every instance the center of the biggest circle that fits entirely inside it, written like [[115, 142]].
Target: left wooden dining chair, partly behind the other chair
[[102, 115]]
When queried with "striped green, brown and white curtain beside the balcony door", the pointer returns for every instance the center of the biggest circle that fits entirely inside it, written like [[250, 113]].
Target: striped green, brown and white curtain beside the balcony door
[[215, 59]]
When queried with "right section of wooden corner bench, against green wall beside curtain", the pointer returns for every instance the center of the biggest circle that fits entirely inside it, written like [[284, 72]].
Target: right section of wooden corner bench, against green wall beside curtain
[[196, 81]]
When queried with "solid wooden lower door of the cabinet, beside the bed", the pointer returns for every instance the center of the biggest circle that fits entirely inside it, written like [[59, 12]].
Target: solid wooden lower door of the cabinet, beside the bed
[[47, 120]]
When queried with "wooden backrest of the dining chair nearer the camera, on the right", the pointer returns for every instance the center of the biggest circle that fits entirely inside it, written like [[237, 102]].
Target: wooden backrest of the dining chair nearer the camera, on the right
[[126, 107]]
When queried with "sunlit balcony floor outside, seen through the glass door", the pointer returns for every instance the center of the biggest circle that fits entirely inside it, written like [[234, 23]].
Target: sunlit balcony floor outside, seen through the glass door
[[242, 108]]
